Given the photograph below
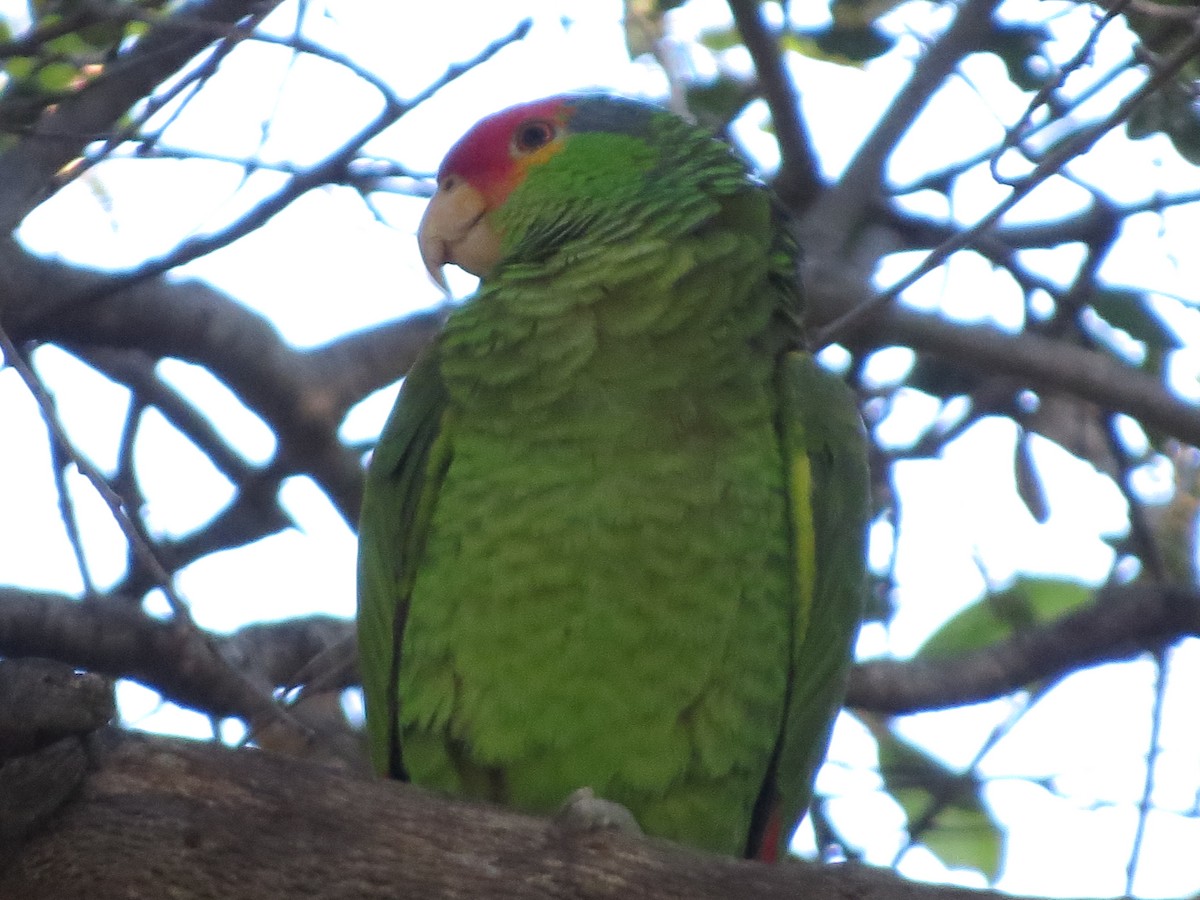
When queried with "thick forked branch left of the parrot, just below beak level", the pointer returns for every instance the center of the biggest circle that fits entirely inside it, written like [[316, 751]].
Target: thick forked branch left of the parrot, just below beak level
[[303, 395]]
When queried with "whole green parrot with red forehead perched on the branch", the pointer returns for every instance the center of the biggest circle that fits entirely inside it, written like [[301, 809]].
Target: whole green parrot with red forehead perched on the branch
[[613, 535]]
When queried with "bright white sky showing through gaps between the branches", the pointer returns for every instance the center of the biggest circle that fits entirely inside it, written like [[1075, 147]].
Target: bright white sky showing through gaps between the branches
[[327, 267]]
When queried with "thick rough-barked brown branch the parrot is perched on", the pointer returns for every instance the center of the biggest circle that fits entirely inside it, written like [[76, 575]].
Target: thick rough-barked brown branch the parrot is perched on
[[161, 818]]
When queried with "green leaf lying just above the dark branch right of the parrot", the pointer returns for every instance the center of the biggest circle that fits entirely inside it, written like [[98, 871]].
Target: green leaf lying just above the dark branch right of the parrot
[[997, 617]]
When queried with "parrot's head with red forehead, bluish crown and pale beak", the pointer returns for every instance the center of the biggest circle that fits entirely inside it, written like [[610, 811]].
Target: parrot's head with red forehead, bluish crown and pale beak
[[531, 177]]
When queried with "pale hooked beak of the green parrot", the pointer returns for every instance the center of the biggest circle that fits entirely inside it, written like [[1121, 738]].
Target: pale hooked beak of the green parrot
[[455, 230]]
